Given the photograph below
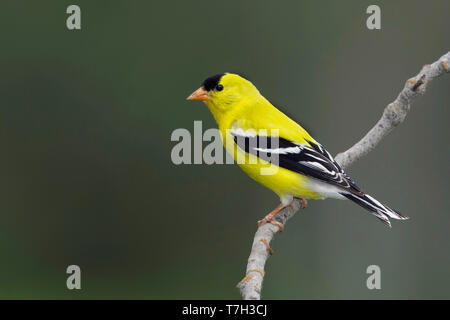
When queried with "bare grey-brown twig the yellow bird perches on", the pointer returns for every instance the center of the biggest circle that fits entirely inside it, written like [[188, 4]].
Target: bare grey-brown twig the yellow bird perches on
[[394, 114]]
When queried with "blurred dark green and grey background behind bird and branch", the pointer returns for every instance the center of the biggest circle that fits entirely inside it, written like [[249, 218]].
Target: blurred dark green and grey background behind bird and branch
[[87, 179]]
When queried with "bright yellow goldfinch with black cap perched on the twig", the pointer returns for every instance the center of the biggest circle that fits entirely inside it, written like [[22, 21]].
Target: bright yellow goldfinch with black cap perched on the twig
[[304, 168]]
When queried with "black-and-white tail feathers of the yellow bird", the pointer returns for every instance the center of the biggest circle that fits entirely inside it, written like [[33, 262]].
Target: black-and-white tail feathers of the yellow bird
[[378, 209]]
